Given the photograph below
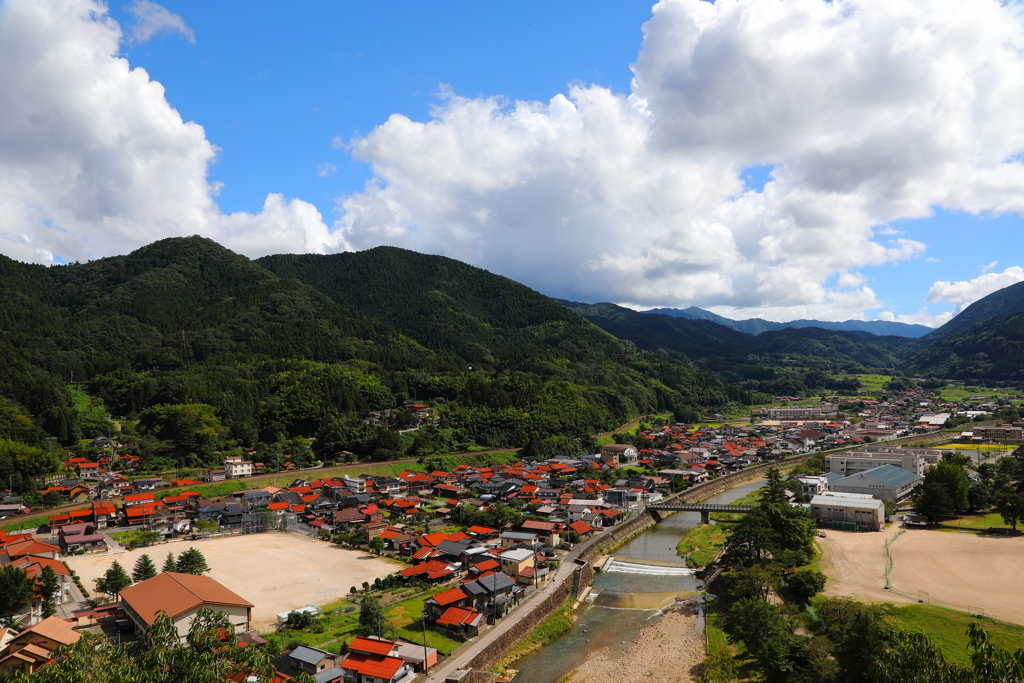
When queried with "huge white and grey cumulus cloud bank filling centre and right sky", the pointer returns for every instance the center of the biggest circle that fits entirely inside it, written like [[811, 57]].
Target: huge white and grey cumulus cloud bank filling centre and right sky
[[870, 111]]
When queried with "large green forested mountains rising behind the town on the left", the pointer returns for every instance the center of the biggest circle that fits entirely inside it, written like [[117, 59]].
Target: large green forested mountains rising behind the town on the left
[[209, 351]]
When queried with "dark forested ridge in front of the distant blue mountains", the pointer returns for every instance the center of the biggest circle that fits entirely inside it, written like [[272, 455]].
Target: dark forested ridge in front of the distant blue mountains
[[721, 349]]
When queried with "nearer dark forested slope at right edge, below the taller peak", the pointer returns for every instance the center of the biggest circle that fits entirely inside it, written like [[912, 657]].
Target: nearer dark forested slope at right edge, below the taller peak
[[993, 350]]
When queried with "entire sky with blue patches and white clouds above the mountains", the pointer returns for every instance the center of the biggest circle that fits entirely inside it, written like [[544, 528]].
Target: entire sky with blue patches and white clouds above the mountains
[[780, 160]]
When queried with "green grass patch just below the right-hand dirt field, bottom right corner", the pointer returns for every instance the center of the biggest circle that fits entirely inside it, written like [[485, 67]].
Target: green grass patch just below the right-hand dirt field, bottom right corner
[[948, 629]]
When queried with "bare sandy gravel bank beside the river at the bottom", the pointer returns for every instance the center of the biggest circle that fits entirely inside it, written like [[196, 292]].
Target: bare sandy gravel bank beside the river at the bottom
[[671, 650]]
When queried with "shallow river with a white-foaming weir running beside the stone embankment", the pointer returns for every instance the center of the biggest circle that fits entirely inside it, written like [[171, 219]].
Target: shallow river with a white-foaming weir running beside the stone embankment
[[647, 577]]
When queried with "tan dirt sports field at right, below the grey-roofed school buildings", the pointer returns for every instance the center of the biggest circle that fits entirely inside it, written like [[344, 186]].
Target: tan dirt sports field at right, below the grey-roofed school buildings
[[958, 570]]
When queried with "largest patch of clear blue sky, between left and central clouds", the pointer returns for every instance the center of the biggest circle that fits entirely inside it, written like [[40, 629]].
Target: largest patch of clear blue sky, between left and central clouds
[[273, 89]]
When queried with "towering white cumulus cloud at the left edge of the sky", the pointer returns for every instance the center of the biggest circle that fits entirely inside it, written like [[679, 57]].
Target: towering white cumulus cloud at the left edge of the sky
[[95, 161]]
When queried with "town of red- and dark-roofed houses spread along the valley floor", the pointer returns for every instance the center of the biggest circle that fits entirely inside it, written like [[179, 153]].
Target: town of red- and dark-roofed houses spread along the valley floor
[[490, 570]]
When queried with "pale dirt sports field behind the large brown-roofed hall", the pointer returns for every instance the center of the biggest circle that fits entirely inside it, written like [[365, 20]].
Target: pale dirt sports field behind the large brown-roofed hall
[[275, 572]]
